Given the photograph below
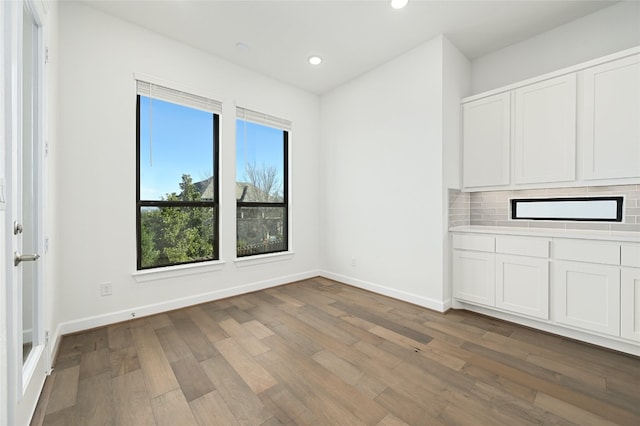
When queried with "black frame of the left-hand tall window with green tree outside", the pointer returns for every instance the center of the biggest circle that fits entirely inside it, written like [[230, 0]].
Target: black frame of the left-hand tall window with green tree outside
[[140, 204]]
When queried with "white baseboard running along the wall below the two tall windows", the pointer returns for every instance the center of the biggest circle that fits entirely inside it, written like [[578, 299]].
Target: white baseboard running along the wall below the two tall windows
[[87, 323]]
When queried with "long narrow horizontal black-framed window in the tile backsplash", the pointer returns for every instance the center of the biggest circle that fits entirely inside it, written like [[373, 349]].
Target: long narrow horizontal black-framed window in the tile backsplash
[[587, 209]]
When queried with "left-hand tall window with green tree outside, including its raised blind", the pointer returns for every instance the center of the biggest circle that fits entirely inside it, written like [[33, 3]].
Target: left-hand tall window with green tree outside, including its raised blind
[[177, 177]]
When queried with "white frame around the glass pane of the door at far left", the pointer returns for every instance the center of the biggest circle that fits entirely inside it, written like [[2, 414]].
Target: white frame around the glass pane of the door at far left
[[23, 381]]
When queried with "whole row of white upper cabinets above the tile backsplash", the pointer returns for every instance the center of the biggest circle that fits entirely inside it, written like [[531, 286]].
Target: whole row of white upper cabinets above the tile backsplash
[[579, 126]]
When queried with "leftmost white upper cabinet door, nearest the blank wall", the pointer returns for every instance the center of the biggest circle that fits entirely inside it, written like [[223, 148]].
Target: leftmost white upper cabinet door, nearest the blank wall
[[486, 139]]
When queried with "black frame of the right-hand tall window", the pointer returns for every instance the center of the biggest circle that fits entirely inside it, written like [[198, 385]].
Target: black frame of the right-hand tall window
[[240, 203]]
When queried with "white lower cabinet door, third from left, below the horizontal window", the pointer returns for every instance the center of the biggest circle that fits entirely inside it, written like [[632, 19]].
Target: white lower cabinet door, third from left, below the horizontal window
[[587, 295]]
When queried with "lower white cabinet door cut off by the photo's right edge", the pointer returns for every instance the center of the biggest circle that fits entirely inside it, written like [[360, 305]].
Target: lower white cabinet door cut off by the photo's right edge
[[630, 304]]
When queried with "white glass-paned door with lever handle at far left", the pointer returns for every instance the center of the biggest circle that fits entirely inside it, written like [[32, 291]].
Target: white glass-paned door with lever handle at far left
[[22, 80]]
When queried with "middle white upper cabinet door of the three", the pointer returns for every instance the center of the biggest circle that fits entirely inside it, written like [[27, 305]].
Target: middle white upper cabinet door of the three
[[545, 131]]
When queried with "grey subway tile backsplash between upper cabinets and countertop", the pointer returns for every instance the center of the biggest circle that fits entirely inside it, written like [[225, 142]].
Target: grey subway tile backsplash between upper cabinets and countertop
[[492, 208]]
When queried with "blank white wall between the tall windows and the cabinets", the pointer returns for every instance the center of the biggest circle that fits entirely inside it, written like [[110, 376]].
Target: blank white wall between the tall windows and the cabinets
[[383, 173]]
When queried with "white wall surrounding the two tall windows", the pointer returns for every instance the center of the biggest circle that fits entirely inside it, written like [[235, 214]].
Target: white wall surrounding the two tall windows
[[96, 169]]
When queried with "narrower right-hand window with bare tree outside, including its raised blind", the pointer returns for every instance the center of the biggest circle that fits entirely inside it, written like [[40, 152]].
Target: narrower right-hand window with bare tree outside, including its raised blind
[[261, 183]]
